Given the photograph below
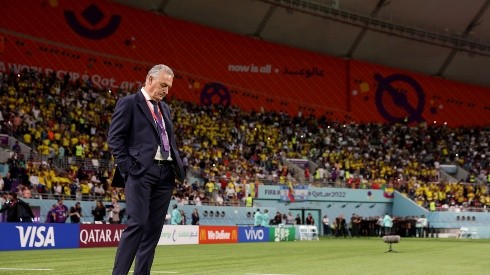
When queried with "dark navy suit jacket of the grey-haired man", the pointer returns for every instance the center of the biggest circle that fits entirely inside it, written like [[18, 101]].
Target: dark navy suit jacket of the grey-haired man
[[133, 136]]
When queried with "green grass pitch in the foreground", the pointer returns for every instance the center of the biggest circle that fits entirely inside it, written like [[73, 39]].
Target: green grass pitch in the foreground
[[327, 256]]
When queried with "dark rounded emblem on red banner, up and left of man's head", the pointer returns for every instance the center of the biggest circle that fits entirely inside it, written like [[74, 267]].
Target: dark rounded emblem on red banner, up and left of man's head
[[92, 23]]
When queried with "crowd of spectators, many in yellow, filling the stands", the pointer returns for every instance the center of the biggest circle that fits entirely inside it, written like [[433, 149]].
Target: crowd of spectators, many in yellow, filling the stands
[[231, 150]]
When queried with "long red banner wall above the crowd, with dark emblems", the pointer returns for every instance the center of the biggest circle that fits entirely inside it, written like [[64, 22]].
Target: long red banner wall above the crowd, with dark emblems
[[113, 46]]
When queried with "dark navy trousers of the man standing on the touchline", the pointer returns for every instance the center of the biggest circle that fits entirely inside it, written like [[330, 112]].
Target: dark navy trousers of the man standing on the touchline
[[147, 200]]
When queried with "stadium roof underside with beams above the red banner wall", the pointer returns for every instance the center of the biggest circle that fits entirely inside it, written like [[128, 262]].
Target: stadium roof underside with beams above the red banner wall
[[444, 38]]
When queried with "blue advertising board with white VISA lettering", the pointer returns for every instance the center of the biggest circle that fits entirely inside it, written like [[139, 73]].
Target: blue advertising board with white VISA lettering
[[26, 236]]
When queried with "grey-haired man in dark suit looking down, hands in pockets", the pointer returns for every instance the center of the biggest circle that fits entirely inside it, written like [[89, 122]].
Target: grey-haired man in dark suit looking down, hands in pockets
[[142, 141]]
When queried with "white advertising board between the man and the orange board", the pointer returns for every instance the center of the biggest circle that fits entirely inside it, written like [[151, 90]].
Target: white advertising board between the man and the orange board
[[179, 234]]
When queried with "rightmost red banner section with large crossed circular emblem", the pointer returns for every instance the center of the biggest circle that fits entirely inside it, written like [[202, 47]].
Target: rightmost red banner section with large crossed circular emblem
[[385, 94]]
